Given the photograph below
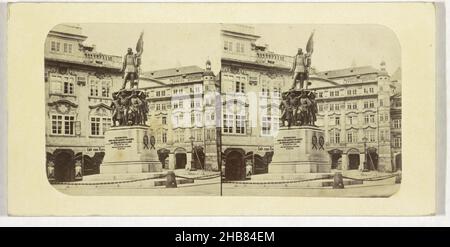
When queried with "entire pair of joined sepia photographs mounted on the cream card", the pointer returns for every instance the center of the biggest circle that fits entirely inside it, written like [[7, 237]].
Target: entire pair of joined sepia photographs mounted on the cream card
[[285, 110]]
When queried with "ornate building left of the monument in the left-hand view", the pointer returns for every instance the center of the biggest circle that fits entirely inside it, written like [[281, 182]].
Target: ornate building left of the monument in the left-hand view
[[78, 86]]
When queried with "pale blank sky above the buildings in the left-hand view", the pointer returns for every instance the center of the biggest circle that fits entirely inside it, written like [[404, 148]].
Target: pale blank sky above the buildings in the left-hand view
[[165, 45]]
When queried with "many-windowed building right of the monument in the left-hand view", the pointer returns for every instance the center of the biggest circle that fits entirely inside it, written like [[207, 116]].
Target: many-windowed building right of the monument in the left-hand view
[[182, 116]]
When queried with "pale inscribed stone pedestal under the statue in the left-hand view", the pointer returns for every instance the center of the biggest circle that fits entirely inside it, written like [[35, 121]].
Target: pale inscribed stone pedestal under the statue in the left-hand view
[[127, 152]]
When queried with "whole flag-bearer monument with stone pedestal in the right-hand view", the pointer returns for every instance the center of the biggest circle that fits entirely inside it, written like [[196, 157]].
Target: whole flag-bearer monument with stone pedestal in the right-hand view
[[299, 145]]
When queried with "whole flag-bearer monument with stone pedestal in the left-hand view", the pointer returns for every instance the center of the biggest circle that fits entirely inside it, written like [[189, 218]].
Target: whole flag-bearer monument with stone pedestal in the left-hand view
[[129, 148]]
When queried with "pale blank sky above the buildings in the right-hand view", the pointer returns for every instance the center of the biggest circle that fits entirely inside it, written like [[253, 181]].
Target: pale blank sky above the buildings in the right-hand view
[[335, 46]]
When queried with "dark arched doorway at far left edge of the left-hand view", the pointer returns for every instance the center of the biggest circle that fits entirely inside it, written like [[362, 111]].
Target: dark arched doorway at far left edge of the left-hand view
[[64, 165]]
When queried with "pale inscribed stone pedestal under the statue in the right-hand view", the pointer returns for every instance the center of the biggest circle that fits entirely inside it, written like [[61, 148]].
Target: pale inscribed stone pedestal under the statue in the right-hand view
[[300, 149]]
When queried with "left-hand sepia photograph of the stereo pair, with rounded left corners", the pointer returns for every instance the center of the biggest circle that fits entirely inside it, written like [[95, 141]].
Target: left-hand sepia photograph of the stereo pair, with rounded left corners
[[131, 109]]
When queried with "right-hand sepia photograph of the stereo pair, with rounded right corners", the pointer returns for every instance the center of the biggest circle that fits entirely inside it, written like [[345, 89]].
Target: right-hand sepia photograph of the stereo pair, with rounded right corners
[[310, 110]]
